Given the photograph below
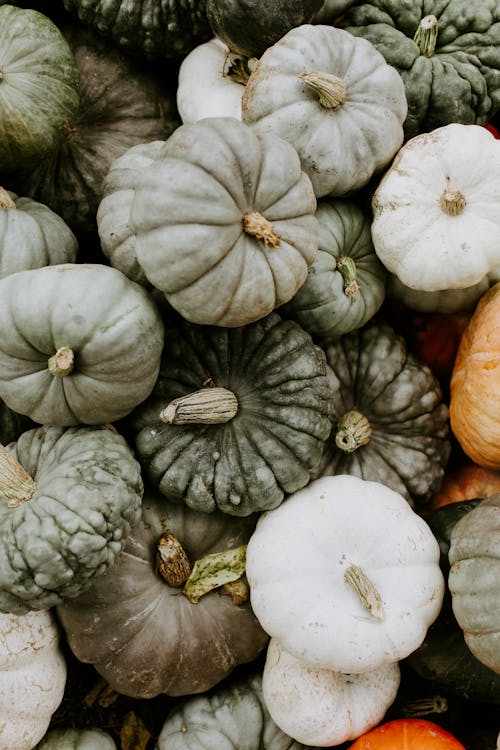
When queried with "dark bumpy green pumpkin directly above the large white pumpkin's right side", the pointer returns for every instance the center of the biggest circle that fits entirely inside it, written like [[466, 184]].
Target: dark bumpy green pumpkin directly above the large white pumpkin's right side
[[390, 422]]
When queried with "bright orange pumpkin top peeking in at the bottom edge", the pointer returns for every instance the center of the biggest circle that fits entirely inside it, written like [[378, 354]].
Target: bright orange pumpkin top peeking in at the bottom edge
[[407, 734]]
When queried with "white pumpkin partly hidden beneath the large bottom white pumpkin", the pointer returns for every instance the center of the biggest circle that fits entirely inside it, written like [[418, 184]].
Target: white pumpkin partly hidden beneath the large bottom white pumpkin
[[321, 707]]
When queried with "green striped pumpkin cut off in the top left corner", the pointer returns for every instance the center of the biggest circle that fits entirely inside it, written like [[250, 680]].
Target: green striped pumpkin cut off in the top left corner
[[39, 87]]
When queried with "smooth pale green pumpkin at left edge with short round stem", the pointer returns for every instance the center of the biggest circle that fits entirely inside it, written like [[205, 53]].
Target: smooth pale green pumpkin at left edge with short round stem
[[83, 345]]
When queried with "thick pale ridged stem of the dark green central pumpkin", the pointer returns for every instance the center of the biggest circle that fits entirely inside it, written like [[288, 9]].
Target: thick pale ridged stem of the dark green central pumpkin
[[206, 406]]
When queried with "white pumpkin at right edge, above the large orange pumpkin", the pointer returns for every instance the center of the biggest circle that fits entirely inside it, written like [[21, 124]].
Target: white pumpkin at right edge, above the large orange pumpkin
[[434, 222]]
